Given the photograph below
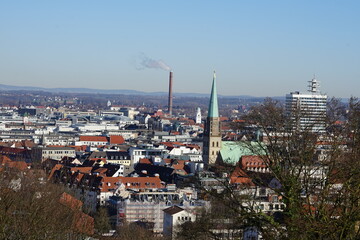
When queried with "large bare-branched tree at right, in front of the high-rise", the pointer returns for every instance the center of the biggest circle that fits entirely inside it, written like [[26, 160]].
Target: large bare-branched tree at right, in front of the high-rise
[[317, 173]]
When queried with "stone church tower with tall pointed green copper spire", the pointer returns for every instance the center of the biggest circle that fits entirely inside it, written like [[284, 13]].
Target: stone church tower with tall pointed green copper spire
[[212, 132]]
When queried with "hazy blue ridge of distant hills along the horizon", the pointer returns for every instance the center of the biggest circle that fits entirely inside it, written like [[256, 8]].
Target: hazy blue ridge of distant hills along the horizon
[[4, 87]]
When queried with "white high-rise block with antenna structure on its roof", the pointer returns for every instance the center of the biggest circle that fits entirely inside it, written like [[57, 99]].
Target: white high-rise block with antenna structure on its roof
[[307, 111]]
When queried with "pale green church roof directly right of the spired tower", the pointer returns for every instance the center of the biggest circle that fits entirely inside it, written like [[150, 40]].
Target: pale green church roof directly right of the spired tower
[[231, 152]]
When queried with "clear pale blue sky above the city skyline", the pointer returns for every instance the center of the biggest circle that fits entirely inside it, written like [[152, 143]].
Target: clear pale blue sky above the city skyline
[[259, 48]]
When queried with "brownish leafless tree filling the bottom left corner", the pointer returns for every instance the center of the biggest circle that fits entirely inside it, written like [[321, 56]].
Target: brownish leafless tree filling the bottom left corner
[[30, 208]]
